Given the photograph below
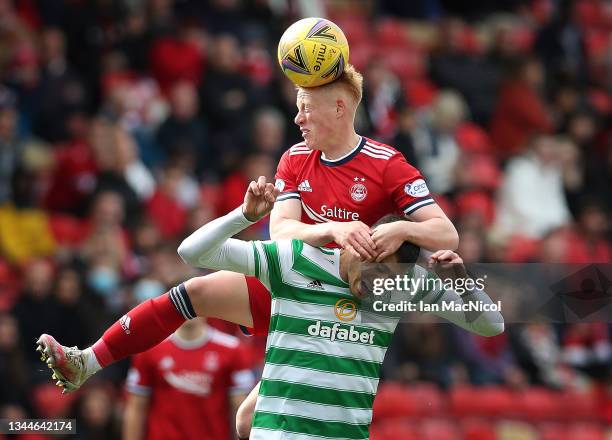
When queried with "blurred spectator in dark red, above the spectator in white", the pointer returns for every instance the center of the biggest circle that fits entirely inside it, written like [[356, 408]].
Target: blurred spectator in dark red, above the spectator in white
[[520, 111]]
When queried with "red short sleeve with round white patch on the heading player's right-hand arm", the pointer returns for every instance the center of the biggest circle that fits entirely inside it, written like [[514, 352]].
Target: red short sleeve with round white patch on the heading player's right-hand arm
[[406, 185]]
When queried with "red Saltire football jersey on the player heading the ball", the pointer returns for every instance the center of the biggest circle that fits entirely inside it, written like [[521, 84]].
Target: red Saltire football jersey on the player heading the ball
[[371, 181]]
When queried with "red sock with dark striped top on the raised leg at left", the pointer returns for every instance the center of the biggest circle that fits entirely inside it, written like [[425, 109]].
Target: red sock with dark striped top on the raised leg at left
[[143, 327]]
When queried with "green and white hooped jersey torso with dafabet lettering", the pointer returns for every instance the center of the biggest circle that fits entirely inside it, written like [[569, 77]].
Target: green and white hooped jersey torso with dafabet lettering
[[322, 363]]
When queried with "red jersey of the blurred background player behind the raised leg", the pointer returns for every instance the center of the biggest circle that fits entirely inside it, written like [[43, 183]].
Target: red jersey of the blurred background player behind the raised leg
[[189, 384]]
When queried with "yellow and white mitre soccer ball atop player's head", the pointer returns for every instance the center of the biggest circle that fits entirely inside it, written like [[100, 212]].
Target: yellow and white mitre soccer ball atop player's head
[[313, 52]]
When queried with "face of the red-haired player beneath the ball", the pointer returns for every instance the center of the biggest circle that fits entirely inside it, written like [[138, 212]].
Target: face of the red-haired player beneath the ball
[[316, 117]]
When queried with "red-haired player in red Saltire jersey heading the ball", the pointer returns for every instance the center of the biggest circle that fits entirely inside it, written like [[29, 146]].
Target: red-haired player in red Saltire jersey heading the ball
[[333, 184]]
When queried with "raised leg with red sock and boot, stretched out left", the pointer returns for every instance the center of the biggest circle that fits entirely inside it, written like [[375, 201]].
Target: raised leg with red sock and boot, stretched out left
[[222, 295]]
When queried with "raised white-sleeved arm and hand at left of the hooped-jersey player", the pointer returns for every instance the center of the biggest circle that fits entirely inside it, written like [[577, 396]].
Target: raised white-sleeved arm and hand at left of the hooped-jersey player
[[211, 246]]
